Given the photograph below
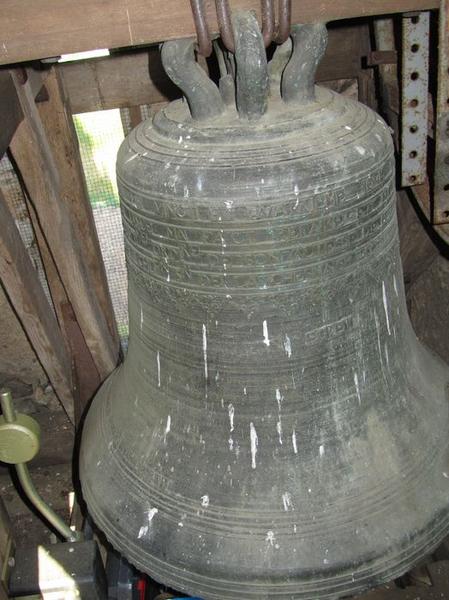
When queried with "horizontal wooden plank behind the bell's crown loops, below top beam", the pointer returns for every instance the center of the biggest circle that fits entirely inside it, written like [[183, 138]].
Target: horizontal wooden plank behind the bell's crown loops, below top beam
[[127, 79]]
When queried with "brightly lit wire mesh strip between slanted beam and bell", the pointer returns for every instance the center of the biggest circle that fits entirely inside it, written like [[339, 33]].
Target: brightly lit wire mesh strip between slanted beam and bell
[[100, 134]]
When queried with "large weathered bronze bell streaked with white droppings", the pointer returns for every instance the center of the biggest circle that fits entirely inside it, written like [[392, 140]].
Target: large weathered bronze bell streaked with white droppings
[[276, 430]]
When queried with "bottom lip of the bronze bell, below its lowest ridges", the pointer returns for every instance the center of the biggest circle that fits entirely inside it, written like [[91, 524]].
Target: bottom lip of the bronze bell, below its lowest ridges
[[332, 583]]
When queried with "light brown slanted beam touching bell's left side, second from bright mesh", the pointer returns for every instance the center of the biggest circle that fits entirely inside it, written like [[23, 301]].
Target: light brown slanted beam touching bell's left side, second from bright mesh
[[50, 191]]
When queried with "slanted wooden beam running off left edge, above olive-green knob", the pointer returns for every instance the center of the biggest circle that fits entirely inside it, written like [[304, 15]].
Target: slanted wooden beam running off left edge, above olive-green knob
[[26, 295]]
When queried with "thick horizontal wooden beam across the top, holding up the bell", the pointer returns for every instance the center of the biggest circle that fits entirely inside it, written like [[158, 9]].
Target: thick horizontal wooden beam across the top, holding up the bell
[[43, 28]]
